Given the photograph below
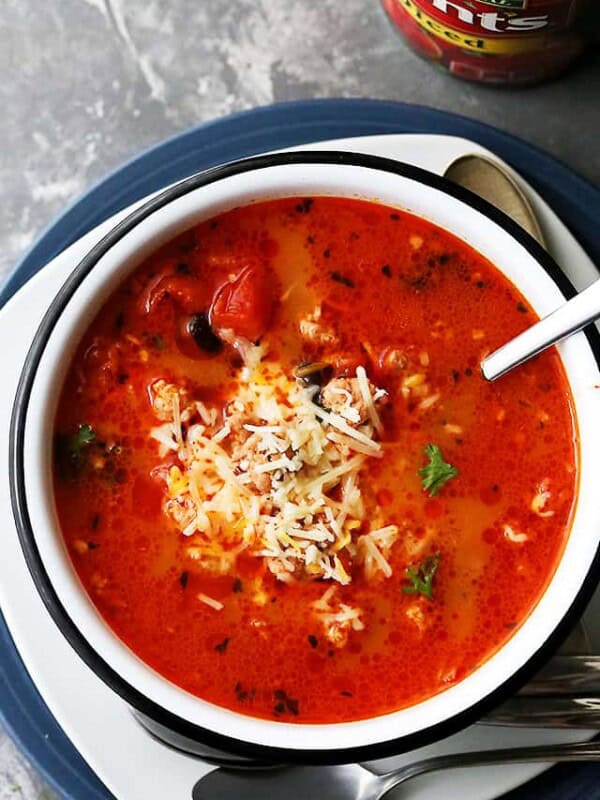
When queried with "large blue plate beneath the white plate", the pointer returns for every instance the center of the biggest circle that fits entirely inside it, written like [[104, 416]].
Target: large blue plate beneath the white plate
[[22, 710]]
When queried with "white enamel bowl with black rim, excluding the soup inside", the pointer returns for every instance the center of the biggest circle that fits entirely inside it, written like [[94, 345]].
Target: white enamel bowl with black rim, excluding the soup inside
[[513, 252]]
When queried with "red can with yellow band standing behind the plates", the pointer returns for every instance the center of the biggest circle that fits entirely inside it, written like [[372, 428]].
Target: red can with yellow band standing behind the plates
[[493, 41]]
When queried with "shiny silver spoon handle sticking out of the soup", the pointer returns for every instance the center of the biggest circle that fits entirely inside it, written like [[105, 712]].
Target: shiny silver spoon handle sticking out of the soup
[[568, 318]]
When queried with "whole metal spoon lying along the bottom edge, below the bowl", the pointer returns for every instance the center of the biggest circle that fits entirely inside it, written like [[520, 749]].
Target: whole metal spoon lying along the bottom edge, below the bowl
[[355, 782]]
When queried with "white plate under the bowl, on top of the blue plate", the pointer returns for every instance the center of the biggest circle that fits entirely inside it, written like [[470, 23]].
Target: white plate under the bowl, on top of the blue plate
[[133, 766]]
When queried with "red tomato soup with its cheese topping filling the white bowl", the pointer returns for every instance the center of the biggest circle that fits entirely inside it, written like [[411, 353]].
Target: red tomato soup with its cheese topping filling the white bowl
[[339, 632]]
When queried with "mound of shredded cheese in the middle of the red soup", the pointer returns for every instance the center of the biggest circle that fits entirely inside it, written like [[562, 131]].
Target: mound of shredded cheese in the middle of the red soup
[[277, 477]]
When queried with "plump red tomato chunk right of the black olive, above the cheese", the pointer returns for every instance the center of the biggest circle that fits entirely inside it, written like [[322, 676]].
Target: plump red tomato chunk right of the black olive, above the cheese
[[244, 304]]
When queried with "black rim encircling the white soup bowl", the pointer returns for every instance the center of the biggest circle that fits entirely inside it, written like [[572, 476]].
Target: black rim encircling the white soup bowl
[[60, 615]]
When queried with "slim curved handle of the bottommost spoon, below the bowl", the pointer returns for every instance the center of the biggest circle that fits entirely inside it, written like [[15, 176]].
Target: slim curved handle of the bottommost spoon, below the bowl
[[580, 751]]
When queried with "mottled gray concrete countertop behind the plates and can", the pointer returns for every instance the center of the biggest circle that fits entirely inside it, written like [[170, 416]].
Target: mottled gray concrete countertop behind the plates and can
[[88, 83]]
